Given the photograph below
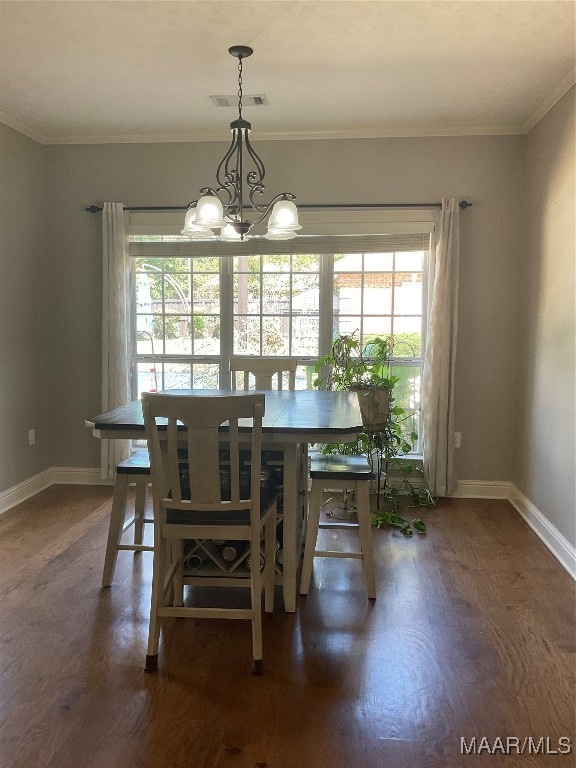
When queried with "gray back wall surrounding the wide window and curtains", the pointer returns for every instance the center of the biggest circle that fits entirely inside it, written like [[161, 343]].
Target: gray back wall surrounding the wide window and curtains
[[487, 170]]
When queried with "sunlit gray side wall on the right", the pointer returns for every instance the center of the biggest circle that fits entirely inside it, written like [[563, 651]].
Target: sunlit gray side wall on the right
[[546, 461]]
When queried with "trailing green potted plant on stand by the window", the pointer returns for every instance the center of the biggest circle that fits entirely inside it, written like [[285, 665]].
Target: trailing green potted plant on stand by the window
[[387, 438]]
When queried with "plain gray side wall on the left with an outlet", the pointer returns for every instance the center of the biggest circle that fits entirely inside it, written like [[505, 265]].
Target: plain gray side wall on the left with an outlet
[[26, 309]]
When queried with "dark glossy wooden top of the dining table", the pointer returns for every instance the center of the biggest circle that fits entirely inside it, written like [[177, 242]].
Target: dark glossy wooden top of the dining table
[[288, 413]]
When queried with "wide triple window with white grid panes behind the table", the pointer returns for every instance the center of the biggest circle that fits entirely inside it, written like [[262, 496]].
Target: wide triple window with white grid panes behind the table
[[195, 304]]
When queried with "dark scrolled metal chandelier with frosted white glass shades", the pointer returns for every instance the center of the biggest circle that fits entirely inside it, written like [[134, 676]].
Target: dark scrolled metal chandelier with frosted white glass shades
[[233, 207]]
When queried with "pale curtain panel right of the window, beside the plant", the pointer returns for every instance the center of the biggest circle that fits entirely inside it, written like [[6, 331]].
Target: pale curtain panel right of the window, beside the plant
[[438, 373]]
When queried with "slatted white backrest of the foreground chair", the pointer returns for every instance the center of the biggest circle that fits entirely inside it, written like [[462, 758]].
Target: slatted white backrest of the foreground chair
[[196, 460]]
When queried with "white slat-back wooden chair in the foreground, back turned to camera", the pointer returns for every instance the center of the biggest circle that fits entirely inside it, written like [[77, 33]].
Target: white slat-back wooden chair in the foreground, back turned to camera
[[206, 488]]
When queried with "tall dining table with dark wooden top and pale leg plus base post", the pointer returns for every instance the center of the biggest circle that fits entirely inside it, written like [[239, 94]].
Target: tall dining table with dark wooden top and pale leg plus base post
[[293, 420]]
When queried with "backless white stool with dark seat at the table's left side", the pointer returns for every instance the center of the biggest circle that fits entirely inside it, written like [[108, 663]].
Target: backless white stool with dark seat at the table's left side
[[133, 471]]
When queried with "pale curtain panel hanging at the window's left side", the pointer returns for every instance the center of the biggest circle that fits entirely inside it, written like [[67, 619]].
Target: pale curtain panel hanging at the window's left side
[[115, 329]]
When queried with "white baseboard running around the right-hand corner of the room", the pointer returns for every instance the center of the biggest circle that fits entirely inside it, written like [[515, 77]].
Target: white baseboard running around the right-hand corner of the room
[[560, 547]]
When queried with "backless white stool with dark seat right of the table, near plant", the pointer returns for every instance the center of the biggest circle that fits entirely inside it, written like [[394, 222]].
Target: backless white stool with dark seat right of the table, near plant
[[340, 473]]
